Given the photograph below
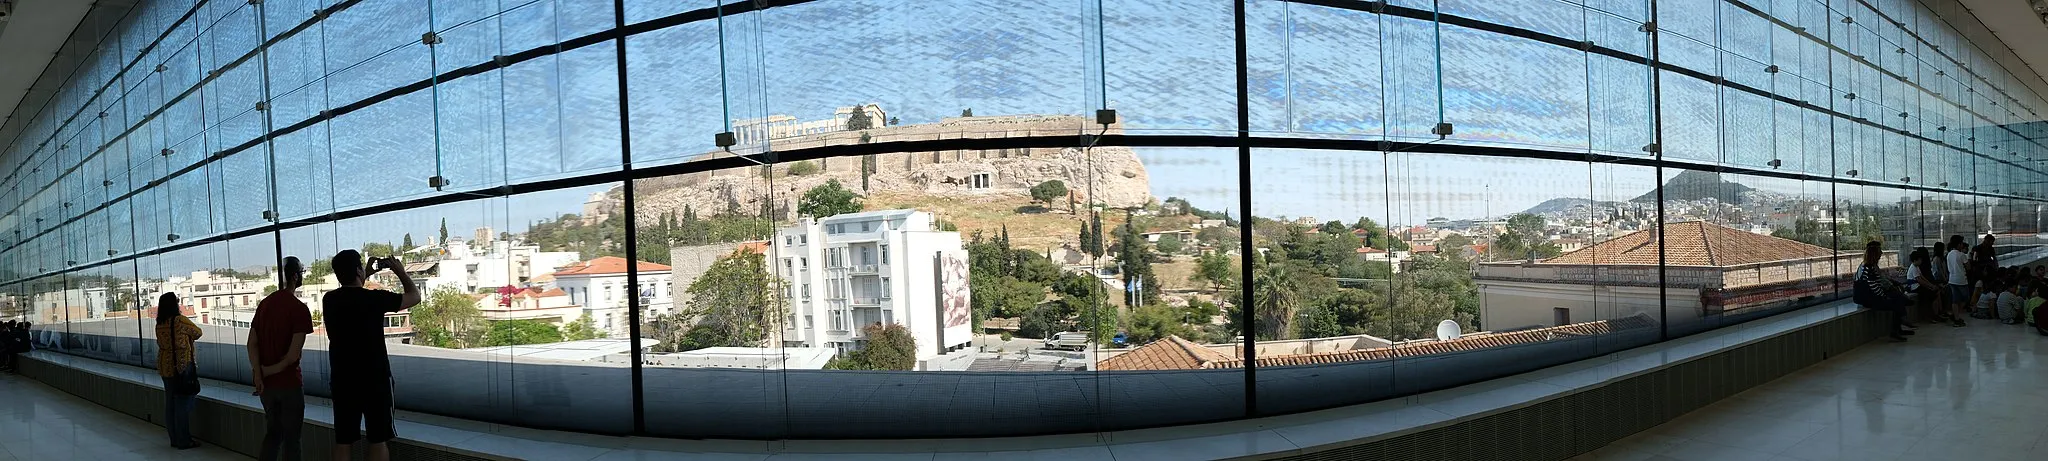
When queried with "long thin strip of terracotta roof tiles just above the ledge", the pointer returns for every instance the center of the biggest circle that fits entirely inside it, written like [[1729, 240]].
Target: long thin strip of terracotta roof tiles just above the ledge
[[1445, 347]]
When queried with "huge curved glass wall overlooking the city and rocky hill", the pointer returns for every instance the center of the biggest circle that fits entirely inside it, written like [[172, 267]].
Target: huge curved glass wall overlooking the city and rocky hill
[[806, 220]]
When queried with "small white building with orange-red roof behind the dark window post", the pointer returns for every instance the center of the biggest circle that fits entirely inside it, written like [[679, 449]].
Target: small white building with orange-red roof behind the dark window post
[[601, 288]]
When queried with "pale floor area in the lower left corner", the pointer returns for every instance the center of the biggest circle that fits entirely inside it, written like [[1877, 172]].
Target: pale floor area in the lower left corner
[[42, 423]]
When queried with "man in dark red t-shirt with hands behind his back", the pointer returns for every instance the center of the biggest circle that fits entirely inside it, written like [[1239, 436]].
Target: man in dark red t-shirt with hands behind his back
[[278, 339]]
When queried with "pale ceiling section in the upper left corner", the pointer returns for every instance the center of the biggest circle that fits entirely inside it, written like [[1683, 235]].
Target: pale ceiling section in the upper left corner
[[28, 44]]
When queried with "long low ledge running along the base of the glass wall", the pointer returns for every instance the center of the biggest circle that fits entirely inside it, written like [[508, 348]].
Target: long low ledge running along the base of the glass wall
[[1258, 437]]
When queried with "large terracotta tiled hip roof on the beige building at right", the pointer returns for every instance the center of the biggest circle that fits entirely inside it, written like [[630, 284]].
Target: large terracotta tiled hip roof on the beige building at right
[[1693, 245]]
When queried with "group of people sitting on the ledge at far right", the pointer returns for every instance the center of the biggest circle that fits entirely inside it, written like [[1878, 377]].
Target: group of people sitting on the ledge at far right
[[1951, 284]]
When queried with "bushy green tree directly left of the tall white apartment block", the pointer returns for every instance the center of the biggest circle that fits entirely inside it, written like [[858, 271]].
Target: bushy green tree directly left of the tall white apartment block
[[736, 302]]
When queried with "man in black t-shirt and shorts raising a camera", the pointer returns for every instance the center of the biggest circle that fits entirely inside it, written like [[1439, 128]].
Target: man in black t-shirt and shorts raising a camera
[[359, 372]]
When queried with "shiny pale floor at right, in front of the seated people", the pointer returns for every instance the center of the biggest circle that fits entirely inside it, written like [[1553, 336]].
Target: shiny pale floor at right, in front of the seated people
[[1975, 392]]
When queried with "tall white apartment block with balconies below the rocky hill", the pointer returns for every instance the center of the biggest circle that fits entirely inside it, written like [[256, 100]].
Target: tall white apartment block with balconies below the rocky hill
[[878, 267]]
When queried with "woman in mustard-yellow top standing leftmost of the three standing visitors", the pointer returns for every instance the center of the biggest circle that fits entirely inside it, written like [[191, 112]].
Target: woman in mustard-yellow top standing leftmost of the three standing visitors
[[175, 337]]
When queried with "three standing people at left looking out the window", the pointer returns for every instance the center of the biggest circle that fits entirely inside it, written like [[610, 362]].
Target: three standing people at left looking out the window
[[359, 376]]
